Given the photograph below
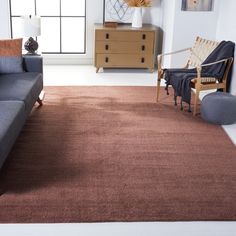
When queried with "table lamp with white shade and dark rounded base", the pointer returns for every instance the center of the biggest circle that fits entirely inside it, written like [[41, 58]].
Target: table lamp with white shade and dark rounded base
[[31, 27]]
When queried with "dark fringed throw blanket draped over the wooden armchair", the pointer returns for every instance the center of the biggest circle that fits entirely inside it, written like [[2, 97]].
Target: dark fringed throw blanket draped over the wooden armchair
[[180, 79]]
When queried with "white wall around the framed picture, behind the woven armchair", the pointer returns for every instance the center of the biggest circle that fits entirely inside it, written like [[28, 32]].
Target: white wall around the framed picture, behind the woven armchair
[[187, 26]]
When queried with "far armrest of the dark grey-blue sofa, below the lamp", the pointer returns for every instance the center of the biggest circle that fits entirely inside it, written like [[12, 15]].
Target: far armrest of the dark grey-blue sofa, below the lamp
[[33, 63]]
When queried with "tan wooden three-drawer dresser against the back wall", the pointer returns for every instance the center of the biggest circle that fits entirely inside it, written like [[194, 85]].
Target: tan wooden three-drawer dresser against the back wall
[[125, 47]]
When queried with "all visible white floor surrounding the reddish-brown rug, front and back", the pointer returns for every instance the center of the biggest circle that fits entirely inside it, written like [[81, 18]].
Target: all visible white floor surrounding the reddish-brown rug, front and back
[[85, 75]]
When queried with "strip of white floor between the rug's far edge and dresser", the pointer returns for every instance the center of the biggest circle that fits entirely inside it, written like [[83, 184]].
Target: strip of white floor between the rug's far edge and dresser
[[86, 75]]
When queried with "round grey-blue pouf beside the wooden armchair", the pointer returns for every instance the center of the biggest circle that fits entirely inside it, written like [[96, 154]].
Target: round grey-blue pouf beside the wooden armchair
[[219, 108]]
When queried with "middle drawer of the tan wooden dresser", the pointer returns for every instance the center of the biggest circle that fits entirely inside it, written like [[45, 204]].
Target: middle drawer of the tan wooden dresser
[[123, 47]]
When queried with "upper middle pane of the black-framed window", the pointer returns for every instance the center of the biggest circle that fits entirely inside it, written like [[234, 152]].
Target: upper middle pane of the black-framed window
[[48, 7]]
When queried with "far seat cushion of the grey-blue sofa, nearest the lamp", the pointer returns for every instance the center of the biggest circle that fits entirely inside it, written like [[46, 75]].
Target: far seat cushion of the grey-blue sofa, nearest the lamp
[[24, 87]]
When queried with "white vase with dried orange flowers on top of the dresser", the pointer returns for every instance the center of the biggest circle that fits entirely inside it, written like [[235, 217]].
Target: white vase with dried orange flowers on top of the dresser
[[137, 15]]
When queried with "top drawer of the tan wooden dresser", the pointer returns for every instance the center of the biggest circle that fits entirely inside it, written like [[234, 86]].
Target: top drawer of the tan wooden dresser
[[126, 36]]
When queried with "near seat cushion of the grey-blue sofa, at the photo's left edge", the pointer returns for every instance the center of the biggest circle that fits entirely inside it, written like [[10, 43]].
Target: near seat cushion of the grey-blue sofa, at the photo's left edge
[[12, 118]]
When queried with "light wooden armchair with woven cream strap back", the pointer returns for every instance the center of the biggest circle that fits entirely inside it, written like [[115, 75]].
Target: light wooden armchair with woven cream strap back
[[198, 53]]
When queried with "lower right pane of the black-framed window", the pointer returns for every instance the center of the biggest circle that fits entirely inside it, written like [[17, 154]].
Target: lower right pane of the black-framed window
[[73, 34]]
